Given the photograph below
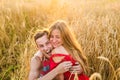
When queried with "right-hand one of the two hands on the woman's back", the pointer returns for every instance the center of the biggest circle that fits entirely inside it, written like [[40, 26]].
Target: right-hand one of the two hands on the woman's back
[[76, 68]]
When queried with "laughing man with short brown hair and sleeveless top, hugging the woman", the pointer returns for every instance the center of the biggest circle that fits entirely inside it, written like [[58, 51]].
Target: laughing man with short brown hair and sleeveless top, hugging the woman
[[41, 59]]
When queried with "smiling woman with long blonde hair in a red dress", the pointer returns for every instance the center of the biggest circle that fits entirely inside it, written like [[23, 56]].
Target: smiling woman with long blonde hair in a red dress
[[66, 48]]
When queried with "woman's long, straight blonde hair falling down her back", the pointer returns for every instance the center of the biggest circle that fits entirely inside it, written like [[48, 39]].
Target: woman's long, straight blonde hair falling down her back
[[70, 43]]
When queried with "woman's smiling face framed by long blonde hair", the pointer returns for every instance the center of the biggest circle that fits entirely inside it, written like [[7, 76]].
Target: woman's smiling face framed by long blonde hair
[[55, 38]]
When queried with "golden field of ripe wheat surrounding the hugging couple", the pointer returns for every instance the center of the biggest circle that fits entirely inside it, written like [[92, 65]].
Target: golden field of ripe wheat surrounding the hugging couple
[[96, 24]]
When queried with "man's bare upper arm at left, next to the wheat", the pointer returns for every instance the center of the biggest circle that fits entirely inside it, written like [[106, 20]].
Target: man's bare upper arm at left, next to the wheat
[[35, 68]]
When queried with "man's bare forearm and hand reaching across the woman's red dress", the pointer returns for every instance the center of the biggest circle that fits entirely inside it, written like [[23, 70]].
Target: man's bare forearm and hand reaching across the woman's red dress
[[61, 68]]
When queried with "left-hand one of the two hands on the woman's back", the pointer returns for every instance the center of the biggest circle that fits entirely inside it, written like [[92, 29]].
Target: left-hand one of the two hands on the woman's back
[[63, 67]]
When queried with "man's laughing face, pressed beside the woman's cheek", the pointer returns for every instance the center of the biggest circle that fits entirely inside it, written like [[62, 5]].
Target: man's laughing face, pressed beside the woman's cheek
[[44, 44]]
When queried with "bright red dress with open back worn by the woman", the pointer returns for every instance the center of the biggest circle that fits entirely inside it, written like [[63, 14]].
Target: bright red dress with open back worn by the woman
[[66, 74]]
